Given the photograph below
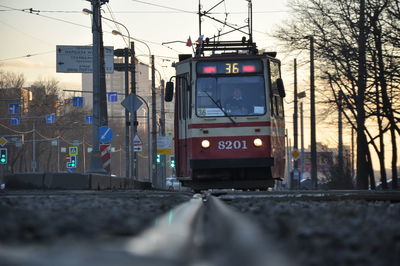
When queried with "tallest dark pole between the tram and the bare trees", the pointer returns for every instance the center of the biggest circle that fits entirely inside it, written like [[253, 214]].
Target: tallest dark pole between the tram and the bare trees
[[314, 171]]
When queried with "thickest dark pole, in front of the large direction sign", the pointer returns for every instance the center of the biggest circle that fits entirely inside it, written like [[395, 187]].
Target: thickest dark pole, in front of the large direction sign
[[99, 89]]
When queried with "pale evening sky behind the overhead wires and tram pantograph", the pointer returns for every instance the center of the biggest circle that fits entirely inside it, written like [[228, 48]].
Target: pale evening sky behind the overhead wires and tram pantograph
[[56, 22]]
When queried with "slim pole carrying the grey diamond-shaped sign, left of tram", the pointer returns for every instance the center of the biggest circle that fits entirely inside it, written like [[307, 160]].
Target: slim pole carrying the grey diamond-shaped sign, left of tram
[[134, 123]]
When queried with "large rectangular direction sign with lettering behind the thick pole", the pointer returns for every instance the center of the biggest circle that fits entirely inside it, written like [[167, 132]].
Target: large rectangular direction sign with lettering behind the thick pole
[[79, 59]]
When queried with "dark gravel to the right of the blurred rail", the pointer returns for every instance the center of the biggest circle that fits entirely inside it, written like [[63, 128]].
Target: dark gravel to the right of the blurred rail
[[354, 233]]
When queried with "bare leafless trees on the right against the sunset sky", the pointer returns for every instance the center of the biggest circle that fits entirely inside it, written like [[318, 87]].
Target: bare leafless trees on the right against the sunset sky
[[356, 55]]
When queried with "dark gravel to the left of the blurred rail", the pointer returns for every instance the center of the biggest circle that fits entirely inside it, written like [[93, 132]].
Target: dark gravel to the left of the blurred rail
[[36, 217]]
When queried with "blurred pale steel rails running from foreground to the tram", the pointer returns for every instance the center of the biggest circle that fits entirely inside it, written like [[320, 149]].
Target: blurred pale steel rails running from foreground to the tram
[[205, 231]]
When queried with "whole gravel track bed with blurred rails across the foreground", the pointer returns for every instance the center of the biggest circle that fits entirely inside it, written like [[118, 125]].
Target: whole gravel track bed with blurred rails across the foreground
[[220, 228]]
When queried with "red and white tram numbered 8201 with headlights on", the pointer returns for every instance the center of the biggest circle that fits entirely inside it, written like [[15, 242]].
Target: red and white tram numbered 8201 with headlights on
[[229, 118]]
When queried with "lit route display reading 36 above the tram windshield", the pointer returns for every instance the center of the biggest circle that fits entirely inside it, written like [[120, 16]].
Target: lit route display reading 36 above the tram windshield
[[229, 67]]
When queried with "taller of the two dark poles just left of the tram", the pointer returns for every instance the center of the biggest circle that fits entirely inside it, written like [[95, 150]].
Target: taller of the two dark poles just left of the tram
[[153, 127]]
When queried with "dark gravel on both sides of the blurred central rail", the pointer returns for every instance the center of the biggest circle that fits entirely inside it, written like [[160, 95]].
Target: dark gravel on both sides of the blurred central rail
[[89, 228]]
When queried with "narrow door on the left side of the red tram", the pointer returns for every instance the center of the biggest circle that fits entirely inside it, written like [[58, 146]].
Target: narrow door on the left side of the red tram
[[181, 132]]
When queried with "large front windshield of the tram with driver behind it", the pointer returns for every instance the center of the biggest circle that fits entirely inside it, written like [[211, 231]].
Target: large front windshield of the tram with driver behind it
[[237, 96]]
